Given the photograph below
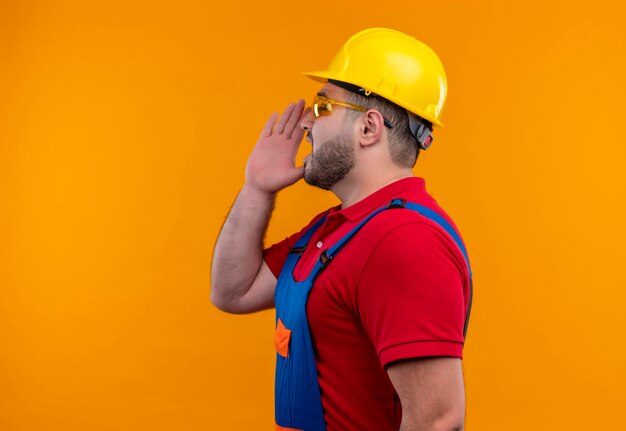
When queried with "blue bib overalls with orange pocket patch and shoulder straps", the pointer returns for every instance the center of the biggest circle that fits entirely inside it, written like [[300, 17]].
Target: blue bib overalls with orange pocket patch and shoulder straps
[[298, 405]]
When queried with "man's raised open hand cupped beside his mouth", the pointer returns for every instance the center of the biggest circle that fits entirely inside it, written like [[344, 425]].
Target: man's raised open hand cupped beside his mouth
[[271, 165]]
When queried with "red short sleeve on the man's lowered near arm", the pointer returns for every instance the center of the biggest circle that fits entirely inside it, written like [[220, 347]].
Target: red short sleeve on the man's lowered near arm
[[412, 293]]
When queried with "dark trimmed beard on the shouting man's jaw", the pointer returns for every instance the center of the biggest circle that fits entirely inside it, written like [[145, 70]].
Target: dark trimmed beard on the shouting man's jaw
[[330, 164]]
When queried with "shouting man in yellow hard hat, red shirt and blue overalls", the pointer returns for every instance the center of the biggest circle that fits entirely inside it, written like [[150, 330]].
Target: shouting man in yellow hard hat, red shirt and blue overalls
[[372, 297]]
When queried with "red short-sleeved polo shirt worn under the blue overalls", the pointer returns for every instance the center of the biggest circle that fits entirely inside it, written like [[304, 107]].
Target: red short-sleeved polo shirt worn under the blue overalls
[[399, 289]]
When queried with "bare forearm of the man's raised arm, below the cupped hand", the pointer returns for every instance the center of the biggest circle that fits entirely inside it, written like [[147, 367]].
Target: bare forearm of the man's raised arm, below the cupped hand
[[239, 248]]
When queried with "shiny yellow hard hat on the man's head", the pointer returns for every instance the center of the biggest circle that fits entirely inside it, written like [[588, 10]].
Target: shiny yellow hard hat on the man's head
[[392, 65]]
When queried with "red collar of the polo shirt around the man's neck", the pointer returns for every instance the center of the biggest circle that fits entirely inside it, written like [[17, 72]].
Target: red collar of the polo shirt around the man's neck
[[380, 198]]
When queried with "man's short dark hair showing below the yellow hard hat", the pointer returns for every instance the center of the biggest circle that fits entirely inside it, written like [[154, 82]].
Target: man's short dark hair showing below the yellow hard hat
[[403, 147]]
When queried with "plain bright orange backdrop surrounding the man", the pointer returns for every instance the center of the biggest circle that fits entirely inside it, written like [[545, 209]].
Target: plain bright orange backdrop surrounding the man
[[124, 131]]
